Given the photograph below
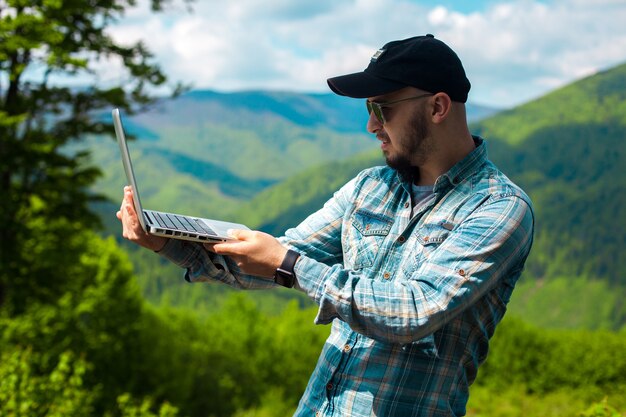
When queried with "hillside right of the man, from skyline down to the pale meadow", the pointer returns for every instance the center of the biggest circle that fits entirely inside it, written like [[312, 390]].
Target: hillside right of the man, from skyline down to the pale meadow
[[571, 157]]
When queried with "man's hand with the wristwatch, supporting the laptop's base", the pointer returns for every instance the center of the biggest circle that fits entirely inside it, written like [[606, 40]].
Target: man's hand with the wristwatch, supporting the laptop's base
[[255, 253]]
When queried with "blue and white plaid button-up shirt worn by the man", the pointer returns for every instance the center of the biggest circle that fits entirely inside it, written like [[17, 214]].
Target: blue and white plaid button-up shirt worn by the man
[[413, 300]]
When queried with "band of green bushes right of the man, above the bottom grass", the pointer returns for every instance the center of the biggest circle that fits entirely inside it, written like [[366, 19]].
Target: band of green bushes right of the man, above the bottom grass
[[545, 361]]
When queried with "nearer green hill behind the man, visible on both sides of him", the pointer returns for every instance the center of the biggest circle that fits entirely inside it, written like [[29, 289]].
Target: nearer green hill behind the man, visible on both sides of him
[[568, 150]]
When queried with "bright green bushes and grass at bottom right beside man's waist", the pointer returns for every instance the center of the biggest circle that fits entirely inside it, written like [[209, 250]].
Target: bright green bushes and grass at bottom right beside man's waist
[[533, 372]]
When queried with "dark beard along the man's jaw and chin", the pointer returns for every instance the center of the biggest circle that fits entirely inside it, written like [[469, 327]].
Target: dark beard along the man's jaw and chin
[[412, 149]]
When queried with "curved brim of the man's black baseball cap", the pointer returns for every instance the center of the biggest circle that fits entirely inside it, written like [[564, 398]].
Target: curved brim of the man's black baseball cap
[[362, 85]]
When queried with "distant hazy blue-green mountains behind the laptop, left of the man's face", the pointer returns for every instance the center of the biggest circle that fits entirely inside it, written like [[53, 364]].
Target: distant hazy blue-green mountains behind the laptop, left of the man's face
[[208, 152]]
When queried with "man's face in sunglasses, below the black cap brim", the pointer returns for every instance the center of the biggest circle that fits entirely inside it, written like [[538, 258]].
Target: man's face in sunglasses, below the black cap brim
[[405, 135]]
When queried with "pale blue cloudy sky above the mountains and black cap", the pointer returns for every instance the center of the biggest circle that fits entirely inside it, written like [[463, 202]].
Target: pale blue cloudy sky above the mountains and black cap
[[513, 51]]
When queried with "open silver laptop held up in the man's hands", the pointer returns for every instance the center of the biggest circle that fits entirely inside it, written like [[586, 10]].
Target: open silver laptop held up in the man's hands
[[164, 224]]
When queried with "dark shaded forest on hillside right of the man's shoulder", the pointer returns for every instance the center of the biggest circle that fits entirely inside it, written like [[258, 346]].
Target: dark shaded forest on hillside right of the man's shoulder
[[574, 175]]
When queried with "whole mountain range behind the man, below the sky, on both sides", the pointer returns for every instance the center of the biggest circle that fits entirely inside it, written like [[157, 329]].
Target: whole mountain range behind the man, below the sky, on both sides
[[268, 159]]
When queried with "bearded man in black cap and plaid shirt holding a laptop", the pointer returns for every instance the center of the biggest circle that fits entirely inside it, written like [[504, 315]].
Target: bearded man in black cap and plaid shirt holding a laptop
[[413, 263]]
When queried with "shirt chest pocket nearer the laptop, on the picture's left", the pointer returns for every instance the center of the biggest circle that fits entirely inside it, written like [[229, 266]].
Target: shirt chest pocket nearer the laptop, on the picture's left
[[366, 236]]
